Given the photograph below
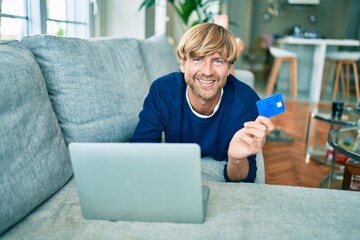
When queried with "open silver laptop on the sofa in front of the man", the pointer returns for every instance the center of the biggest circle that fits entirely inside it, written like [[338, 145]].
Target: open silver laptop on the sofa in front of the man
[[152, 182]]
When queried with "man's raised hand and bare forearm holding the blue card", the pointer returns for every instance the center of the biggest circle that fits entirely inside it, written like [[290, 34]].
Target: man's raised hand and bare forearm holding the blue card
[[245, 142]]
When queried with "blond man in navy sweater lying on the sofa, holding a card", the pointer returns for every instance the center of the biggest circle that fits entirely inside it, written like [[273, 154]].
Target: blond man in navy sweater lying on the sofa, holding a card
[[207, 105]]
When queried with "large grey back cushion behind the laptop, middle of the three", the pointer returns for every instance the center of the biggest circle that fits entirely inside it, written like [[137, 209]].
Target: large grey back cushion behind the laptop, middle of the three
[[96, 87]]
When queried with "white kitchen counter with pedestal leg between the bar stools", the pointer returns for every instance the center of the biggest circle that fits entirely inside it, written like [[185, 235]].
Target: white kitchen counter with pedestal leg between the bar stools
[[311, 61]]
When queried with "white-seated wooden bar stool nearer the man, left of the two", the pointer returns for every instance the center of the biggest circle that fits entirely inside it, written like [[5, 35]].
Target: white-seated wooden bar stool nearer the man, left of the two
[[281, 55]]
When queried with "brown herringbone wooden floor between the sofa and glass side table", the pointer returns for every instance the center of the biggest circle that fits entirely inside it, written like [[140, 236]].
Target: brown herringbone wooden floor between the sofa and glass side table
[[286, 164]]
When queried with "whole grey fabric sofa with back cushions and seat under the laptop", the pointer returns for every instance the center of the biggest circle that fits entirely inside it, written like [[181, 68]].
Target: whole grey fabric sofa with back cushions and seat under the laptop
[[59, 90]]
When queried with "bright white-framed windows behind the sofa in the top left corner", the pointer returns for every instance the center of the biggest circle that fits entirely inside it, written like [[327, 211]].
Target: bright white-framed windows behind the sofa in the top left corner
[[20, 18]]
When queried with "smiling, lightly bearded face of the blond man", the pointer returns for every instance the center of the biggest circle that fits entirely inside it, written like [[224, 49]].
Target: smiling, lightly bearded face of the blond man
[[205, 76]]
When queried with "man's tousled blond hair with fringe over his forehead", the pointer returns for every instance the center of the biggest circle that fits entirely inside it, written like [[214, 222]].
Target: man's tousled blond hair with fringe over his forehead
[[207, 39]]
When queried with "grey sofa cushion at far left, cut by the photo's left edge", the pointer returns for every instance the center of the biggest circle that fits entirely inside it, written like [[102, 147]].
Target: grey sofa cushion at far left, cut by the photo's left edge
[[34, 160]]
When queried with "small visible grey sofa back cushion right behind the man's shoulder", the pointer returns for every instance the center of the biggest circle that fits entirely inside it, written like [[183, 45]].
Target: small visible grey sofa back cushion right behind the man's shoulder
[[159, 57]]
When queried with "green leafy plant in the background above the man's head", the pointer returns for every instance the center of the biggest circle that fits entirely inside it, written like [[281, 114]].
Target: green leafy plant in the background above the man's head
[[190, 12]]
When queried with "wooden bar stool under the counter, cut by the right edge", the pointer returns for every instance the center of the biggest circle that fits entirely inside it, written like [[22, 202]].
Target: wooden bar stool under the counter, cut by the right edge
[[339, 60]]
